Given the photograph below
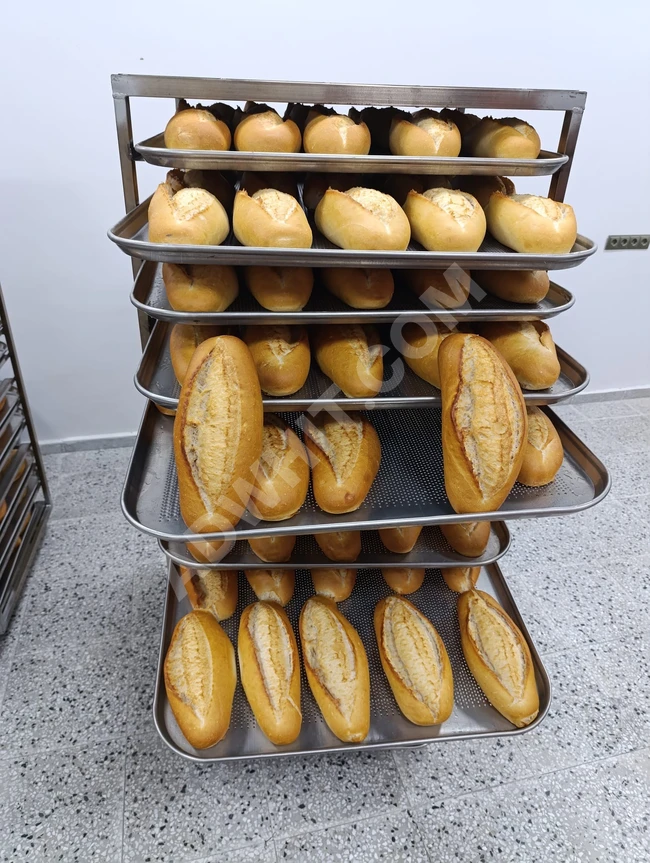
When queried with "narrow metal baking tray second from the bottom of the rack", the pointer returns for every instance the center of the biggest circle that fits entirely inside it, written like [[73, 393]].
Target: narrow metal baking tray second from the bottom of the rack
[[431, 551]]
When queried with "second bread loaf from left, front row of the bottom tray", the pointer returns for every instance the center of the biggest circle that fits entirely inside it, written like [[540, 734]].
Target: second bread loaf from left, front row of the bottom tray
[[270, 670]]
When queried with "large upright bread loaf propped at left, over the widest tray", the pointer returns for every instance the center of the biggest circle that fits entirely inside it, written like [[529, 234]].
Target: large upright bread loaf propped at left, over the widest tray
[[218, 435]]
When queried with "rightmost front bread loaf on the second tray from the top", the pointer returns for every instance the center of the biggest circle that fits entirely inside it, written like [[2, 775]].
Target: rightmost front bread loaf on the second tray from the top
[[531, 225]]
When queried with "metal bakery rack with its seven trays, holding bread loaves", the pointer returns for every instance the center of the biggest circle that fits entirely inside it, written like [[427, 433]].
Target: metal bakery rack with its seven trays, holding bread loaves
[[409, 489]]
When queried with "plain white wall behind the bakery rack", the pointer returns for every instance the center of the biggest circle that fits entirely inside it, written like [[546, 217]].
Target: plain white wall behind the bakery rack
[[67, 287]]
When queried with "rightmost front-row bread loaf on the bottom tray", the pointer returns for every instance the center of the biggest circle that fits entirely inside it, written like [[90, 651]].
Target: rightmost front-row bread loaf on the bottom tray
[[498, 657]]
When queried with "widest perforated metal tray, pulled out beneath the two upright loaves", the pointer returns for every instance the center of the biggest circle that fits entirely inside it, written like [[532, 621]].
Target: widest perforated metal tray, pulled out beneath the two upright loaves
[[409, 488]]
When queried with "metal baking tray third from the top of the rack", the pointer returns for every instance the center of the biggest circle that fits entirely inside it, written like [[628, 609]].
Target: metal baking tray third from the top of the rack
[[149, 296]]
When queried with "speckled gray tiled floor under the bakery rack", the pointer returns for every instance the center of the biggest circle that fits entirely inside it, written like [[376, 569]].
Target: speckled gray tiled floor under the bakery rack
[[84, 776]]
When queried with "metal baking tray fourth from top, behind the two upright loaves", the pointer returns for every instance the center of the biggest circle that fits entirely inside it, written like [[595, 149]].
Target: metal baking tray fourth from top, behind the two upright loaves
[[156, 380]]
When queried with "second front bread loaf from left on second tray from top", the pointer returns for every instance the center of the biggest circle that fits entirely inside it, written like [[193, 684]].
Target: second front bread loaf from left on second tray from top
[[270, 219]]
